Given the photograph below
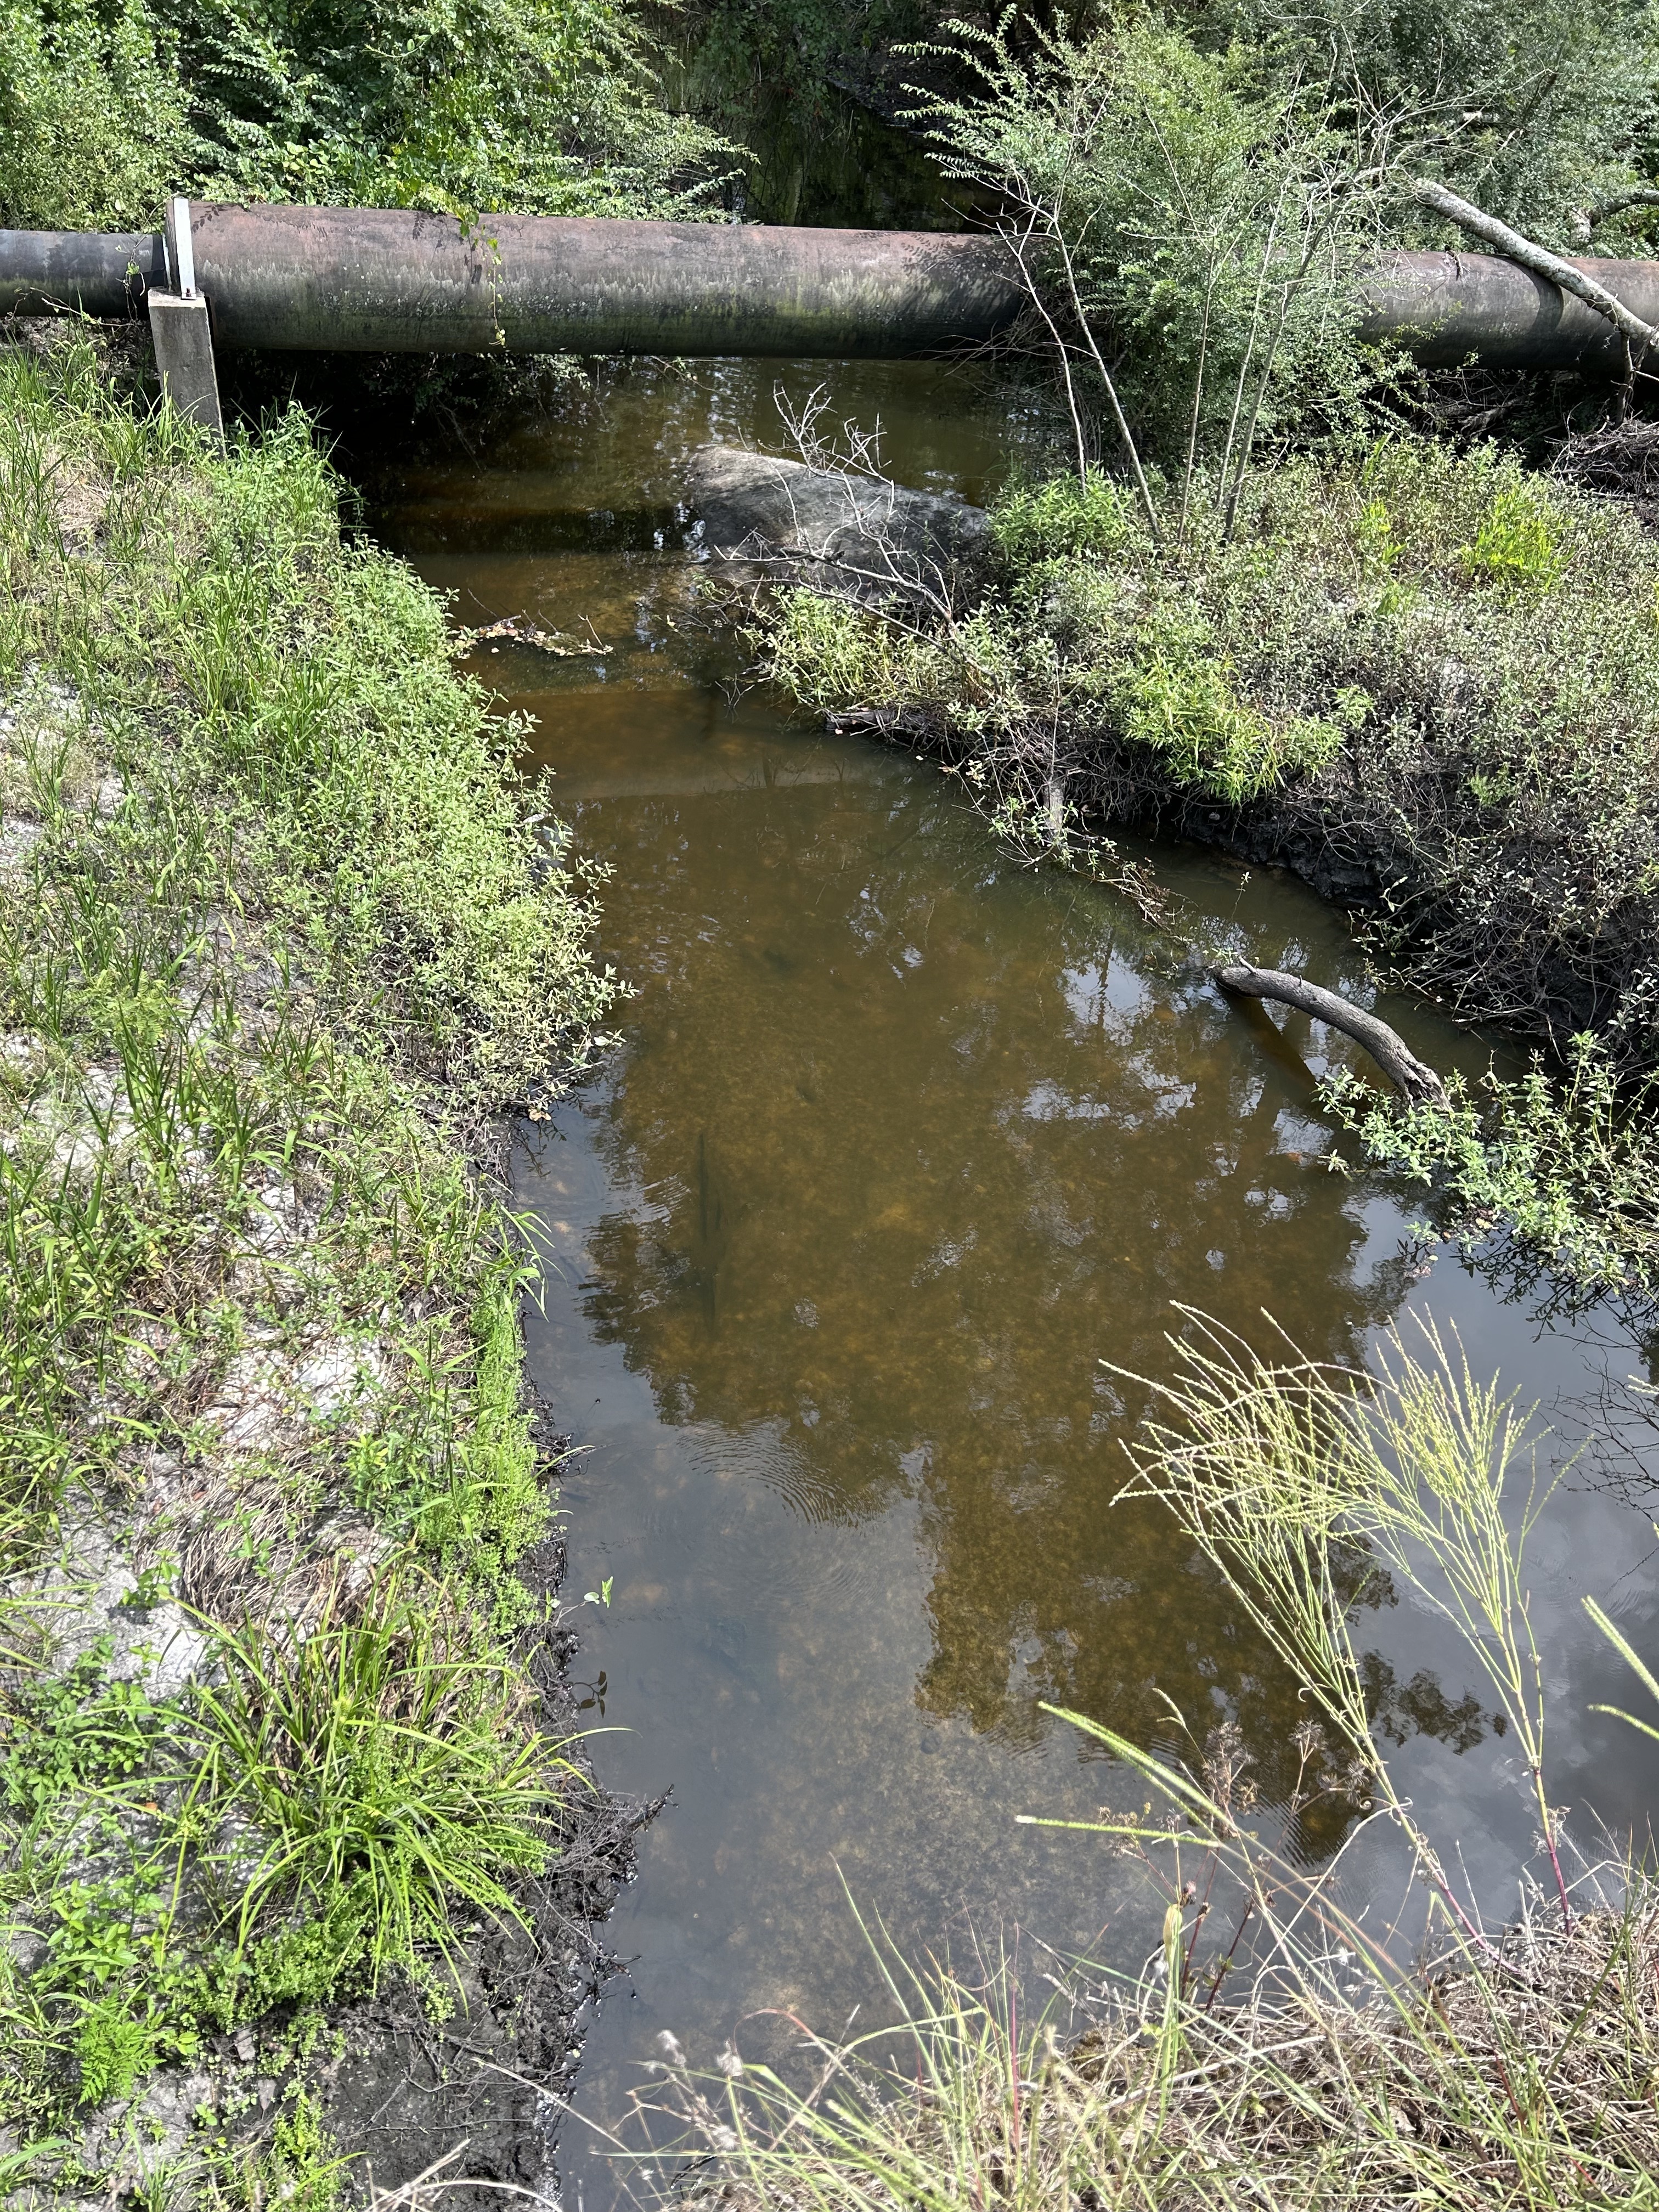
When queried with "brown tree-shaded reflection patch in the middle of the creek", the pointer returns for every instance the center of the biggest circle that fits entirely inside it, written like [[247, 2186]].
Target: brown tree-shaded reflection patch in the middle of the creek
[[921, 1149]]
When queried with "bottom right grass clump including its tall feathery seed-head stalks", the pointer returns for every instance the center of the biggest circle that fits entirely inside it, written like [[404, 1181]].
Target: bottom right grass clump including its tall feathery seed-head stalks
[[1324, 2063]]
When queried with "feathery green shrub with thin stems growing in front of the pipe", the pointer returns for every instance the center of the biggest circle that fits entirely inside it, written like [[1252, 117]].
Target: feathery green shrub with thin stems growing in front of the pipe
[[1196, 205]]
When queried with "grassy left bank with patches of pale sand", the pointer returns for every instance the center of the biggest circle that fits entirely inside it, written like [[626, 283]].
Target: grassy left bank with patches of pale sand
[[278, 935]]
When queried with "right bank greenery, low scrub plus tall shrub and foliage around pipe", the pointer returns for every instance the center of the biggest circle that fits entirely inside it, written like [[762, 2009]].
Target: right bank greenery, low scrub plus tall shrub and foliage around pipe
[[1262, 612]]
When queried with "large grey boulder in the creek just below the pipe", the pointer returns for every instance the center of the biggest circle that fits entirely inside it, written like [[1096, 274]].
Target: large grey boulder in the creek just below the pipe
[[855, 536]]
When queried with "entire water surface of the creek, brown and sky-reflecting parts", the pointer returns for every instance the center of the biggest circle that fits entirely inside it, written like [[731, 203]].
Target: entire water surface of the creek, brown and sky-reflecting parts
[[899, 1142]]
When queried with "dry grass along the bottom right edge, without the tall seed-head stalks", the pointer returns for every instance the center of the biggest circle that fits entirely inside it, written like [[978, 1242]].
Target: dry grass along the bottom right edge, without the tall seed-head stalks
[[1335, 2076]]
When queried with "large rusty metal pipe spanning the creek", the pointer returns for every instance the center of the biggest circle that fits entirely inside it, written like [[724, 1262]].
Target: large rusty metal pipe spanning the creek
[[399, 282]]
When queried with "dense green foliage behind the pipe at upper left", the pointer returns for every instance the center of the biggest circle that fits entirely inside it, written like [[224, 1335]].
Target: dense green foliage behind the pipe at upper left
[[463, 105]]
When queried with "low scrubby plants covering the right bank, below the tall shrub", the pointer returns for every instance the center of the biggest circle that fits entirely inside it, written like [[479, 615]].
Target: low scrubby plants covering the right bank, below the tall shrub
[[1430, 682]]
